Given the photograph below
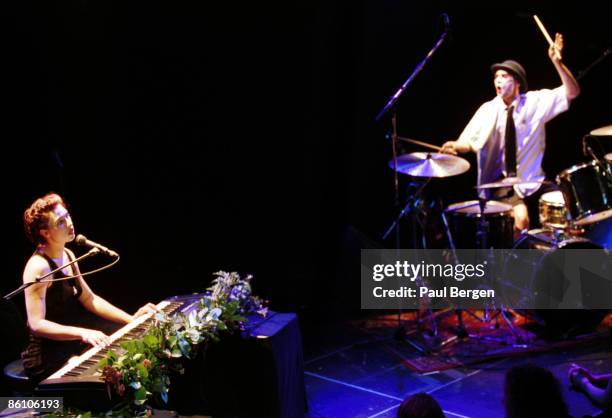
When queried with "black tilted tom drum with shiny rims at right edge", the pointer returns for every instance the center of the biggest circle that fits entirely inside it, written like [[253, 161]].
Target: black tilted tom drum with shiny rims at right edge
[[587, 190]]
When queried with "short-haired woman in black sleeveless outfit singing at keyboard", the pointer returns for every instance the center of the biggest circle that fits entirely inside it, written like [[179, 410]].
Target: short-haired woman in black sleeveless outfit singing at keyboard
[[56, 309]]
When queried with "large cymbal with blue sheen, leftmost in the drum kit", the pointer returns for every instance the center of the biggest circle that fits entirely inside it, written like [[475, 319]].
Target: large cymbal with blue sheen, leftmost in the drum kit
[[430, 164]]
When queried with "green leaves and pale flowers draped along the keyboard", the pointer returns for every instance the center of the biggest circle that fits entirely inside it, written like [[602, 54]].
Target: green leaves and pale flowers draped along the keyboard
[[142, 367]]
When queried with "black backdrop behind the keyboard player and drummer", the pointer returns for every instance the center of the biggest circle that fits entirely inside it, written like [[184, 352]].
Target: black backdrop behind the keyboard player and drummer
[[193, 137]]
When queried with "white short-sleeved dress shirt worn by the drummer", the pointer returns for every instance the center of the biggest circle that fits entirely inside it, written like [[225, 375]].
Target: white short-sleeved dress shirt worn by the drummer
[[485, 135]]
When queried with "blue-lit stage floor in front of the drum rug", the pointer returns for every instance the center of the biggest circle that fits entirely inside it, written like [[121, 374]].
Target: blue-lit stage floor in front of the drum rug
[[353, 369]]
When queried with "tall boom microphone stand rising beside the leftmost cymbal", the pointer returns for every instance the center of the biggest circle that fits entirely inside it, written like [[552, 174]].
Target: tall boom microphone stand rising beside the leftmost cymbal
[[391, 107]]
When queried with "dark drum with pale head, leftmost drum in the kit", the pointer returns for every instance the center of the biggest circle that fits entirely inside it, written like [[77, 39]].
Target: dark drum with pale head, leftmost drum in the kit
[[464, 217]]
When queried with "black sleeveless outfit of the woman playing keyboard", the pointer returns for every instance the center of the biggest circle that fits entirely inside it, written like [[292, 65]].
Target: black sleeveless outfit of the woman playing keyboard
[[44, 356]]
